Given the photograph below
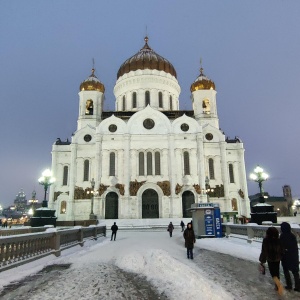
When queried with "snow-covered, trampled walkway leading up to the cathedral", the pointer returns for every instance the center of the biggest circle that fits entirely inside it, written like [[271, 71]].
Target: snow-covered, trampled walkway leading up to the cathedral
[[146, 265]]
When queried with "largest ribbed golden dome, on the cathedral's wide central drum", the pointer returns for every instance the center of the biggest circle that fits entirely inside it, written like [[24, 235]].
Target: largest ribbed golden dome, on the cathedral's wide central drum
[[146, 58]]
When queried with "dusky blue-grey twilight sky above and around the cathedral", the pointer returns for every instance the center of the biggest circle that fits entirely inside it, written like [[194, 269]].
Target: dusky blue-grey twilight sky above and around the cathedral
[[251, 49]]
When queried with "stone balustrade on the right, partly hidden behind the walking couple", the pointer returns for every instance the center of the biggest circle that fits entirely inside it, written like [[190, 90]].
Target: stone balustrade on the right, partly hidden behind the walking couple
[[252, 232]]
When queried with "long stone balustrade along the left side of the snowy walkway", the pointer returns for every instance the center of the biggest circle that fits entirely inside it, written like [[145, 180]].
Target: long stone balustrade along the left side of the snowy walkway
[[19, 249]]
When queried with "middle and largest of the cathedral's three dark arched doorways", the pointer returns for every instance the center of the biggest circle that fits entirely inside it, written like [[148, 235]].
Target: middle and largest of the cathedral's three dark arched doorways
[[150, 204]]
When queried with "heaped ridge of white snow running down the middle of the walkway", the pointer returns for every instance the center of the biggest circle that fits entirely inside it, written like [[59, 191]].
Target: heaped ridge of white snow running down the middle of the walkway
[[169, 276]]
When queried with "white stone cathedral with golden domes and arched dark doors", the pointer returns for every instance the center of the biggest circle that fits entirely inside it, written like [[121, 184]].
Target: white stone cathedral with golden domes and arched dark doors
[[147, 158]]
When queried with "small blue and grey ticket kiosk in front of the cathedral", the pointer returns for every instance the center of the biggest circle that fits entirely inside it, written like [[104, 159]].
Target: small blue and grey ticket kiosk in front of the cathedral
[[206, 220]]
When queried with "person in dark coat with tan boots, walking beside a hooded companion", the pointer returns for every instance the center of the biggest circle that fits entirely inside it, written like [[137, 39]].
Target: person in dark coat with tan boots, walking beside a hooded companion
[[271, 252]]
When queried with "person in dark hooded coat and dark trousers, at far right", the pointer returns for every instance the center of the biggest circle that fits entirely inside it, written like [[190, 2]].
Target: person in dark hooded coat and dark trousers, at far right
[[290, 258]]
